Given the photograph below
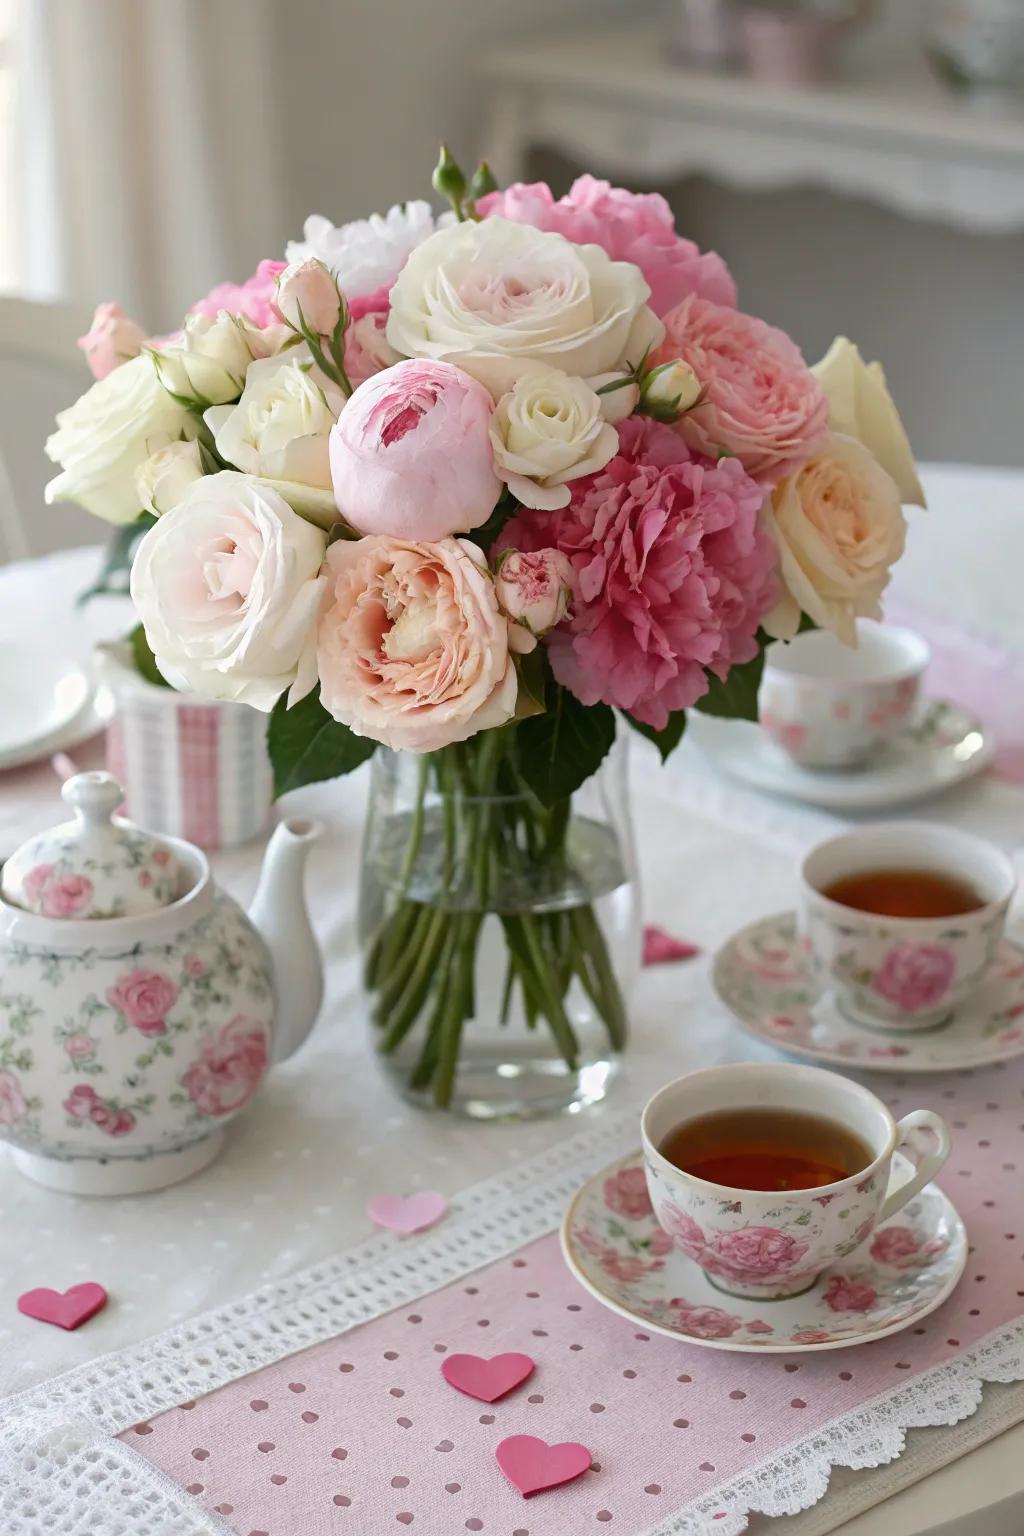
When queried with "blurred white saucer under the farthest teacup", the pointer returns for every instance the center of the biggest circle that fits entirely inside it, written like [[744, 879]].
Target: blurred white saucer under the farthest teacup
[[945, 747]]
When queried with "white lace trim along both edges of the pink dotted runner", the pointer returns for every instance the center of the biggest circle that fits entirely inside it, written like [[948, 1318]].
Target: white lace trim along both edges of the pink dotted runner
[[62, 1471]]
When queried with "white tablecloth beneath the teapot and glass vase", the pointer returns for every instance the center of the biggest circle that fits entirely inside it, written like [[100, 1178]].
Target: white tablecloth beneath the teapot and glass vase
[[328, 1131]]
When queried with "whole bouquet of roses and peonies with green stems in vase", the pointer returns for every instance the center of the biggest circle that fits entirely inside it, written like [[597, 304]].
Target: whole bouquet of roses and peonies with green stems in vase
[[483, 489]]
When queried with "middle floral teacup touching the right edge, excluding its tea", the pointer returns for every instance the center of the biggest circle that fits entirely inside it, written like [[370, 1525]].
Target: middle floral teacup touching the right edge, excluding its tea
[[903, 973]]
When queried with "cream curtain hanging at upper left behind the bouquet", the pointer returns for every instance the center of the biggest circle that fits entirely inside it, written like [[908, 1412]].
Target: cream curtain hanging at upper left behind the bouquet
[[151, 151]]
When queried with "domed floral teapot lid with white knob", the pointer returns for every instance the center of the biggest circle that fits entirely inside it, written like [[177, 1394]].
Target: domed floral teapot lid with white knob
[[97, 866]]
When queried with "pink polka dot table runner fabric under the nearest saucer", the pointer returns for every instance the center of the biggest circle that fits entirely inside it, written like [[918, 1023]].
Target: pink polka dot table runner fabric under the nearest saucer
[[362, 1434]]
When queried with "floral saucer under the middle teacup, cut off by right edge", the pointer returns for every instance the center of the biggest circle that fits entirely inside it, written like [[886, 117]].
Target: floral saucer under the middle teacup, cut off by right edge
[[762, 976]]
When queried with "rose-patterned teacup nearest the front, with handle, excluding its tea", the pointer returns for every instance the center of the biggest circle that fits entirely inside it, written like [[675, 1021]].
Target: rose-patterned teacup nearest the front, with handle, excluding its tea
[[775, 1245]]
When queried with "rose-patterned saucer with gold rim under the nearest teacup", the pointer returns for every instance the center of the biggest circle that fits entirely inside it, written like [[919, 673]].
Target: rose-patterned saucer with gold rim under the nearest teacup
[[616, 1250]]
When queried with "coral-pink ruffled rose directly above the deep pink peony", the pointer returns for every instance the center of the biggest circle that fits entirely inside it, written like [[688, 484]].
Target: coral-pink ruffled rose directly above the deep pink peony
[[761, 400]]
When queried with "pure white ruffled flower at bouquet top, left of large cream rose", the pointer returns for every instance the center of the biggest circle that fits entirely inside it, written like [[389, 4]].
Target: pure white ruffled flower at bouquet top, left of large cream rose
[[368, 254]]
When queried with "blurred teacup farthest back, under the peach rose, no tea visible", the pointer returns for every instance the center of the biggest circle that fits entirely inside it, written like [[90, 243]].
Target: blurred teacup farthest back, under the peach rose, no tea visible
[[831, 706]]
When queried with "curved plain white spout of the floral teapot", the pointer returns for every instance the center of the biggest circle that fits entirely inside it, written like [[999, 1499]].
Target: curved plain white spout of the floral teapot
[[280, 913]]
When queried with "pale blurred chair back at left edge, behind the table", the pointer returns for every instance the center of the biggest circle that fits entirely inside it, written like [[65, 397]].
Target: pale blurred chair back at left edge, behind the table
[[41, 372]]
